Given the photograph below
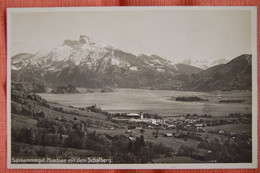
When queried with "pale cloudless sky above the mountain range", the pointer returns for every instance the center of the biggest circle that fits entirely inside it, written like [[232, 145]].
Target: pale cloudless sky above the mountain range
[[172, 34]]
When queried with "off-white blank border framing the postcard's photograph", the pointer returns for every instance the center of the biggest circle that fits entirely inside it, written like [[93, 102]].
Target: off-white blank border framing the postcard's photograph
[[138, 166]]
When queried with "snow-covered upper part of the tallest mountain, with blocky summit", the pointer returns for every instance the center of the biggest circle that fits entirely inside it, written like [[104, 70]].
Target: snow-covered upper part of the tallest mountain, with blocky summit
[[70, 52]]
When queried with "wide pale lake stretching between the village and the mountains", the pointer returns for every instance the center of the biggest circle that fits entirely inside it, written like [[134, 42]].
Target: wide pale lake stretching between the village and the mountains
[[156, 101]]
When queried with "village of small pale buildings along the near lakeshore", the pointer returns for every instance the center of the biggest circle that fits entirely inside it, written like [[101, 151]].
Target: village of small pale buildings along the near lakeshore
[[188, 122]]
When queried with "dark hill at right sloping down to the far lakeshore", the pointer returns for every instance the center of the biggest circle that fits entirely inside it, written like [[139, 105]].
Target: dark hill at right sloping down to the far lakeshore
[[234, 75]]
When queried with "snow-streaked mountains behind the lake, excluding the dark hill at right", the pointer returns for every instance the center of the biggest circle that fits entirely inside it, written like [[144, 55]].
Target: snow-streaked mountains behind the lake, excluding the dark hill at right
[[85, 63]]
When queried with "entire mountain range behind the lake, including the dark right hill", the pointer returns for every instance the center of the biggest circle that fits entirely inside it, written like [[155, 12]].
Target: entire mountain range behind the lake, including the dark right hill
[[84, 63]]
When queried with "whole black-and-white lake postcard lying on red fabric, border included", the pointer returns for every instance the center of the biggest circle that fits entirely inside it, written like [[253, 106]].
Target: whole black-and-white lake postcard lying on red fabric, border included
[[132, 87]]
